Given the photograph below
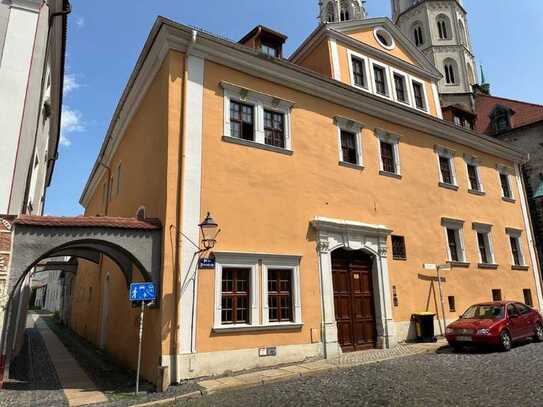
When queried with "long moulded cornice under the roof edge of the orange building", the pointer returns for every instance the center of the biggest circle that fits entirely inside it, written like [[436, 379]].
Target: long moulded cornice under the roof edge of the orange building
[[167, 35]]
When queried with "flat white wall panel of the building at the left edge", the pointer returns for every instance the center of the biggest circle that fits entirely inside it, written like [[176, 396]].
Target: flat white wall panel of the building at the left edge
[[14, 71]]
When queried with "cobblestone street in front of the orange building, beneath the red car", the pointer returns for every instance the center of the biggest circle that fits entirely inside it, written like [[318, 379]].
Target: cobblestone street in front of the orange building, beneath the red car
[[444, 378]]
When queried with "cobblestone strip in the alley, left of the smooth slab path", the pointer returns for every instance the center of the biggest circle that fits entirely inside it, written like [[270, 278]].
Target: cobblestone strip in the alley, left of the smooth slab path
[[35, 383]]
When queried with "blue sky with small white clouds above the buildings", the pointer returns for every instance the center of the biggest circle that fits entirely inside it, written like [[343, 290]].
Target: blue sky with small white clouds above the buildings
[[105, 38]]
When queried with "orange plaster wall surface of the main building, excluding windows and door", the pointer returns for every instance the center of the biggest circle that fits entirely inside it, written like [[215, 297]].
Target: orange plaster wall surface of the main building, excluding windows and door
[[264, 202]]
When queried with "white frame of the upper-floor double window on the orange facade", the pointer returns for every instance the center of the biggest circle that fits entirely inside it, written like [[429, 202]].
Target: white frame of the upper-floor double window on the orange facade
[[260, 102]]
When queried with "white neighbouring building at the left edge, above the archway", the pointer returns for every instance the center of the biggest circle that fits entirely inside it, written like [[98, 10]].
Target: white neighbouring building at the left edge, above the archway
[[32, 49]]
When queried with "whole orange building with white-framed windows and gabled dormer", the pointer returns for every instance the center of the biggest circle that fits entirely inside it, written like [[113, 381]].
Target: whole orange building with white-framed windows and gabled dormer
[[333, 179]]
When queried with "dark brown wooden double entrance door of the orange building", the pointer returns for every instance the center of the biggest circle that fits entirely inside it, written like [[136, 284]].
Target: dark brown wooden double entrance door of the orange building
[[353, 300]]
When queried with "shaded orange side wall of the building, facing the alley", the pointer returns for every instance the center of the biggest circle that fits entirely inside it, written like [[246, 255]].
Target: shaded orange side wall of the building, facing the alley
[[149, 159]]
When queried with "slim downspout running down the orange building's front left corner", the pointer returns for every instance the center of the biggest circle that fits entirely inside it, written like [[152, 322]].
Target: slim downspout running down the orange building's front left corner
[[178, 226]]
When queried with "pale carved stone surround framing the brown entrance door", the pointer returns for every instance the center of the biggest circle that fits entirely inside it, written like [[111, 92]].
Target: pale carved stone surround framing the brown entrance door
[[333, 234]]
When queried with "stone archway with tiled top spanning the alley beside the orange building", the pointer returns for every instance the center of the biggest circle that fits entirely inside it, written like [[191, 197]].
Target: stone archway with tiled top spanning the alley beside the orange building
[[130, 243]]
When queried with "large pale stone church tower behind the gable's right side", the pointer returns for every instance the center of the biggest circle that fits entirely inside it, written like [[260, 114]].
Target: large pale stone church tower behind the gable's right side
[[440, 30]]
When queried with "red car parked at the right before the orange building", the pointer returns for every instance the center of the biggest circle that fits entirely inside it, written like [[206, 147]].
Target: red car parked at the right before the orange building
[[496, 324]]
